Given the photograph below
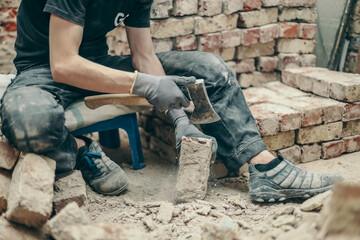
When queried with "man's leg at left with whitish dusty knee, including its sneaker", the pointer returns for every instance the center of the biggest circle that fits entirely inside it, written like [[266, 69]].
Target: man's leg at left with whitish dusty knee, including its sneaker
[[33, 120]]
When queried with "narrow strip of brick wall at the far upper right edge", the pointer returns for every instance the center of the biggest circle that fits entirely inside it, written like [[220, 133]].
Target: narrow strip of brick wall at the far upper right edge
[[354, 37]]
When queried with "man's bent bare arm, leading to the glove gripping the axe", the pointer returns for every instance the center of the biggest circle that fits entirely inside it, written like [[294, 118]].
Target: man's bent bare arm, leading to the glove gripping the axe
[[70, 68]]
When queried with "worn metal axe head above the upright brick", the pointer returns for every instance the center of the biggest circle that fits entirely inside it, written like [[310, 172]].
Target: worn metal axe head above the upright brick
[[203, 111]]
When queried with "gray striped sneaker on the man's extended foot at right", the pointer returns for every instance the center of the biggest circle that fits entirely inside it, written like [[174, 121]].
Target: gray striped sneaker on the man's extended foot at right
[[287, 181]]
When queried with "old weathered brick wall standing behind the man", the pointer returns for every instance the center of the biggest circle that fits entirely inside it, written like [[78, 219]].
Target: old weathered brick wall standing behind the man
[[257, 38]]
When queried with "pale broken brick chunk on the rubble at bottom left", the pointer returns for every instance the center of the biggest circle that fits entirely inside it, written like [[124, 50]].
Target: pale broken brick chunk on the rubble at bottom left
[[70, 215]]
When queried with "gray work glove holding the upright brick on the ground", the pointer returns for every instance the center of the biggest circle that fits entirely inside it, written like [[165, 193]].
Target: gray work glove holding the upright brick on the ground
[[183, 128]]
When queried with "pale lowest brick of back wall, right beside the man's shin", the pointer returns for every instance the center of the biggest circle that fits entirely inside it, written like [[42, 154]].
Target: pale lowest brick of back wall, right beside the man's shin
[[257, 78]]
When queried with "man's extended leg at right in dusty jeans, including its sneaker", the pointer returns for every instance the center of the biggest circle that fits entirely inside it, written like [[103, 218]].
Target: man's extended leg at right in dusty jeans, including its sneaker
[[271, 179]]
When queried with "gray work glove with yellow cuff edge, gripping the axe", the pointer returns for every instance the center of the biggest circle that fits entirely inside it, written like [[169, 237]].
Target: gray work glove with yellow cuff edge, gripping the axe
[[162, 91]]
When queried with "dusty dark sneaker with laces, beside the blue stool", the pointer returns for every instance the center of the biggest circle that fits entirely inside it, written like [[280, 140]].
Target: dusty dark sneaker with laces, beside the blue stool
[[102, 174]]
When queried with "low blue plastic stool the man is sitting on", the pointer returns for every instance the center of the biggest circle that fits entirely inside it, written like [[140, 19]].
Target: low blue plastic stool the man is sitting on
[[109, 135]]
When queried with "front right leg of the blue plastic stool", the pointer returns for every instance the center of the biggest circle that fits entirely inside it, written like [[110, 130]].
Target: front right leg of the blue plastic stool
[[132, 130]]
